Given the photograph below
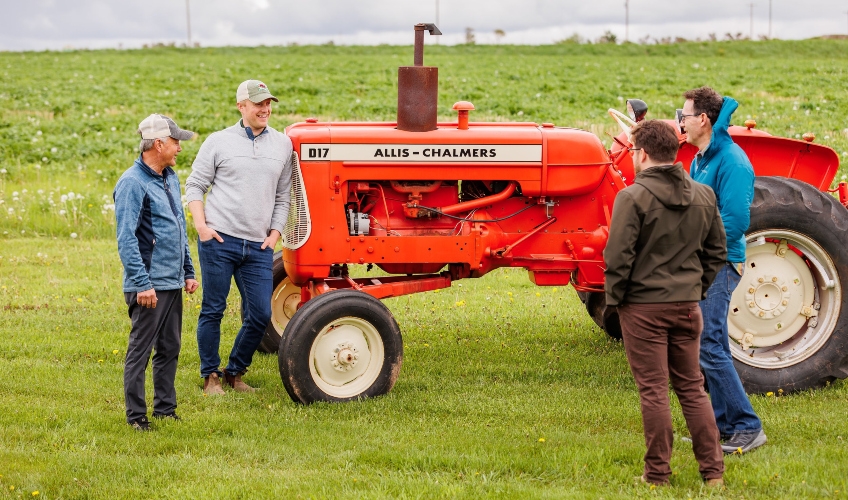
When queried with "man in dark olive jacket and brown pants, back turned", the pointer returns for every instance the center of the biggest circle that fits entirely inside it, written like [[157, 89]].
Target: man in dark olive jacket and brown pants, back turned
[[666, 245]]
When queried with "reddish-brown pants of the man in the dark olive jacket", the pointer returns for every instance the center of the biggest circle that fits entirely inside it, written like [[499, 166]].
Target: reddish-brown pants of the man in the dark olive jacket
[[662, 341]]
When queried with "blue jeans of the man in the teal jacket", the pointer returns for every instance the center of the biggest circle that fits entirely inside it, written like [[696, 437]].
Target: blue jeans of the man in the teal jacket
[[733, 410]]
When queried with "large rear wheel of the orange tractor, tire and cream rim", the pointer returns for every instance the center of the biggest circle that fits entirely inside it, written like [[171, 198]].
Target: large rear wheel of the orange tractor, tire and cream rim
[[788, 317]]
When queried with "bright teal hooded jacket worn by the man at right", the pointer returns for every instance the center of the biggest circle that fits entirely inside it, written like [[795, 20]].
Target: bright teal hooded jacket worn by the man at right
[[725, 167]]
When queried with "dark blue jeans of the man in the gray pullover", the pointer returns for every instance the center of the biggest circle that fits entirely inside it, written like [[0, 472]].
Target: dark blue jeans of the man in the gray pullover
[[251, 268]]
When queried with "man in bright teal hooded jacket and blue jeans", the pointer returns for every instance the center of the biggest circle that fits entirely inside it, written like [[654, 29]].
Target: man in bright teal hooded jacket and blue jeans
[[722, 165]]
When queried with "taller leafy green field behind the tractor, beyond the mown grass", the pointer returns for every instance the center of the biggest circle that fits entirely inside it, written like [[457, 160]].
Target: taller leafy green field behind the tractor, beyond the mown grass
[[68, 119]]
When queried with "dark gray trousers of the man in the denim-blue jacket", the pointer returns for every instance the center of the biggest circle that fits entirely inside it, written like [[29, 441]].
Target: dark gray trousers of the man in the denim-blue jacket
[[158, 328]]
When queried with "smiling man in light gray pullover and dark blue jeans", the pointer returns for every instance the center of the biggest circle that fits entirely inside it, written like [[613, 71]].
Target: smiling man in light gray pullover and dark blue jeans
[[246, 171]]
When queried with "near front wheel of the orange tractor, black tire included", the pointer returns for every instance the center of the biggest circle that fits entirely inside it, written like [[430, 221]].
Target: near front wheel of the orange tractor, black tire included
[[340, 346]]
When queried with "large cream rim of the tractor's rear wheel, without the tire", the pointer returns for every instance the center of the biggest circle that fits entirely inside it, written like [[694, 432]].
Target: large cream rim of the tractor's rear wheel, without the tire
[[787, 304]]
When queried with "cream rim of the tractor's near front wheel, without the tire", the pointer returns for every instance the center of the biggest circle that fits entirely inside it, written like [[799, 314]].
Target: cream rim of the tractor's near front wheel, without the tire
[[346, 357]]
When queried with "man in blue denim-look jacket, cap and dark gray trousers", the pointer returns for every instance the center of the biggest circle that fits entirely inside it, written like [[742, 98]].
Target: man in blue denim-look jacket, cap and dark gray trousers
[[153, 247]]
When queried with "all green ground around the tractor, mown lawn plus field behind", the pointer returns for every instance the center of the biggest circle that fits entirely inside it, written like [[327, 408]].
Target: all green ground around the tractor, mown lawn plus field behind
[[507, 390]]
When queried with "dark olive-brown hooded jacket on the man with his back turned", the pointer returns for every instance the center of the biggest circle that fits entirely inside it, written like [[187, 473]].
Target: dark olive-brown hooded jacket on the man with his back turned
[[666, 240]]
